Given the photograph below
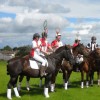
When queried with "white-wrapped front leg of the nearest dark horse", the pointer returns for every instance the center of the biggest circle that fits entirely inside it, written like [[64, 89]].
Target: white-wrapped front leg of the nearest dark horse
[[46, 86]]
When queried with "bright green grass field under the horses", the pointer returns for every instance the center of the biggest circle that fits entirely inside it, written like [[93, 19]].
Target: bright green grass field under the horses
[[74, 91]]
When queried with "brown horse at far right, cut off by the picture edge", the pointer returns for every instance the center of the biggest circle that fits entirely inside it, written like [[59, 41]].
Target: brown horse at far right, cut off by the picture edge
[[93, 62]]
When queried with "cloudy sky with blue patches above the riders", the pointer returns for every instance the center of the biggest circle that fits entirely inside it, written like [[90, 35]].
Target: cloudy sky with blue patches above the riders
[[20, 19]]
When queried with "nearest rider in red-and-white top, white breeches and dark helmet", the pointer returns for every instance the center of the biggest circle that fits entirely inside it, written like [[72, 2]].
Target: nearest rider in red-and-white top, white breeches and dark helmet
[[36, 51]]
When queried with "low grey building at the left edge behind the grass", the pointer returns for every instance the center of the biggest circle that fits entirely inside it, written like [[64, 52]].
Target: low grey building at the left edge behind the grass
[[6, 55]]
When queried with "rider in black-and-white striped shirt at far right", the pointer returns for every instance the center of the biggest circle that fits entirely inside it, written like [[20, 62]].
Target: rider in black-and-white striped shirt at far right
[[93, 45]]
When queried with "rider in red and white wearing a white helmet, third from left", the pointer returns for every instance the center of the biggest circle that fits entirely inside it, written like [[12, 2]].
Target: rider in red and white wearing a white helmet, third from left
[[57, 42]]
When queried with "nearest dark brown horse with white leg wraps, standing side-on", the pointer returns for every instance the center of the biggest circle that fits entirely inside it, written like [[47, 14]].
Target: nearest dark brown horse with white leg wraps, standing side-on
[[21, 66]]
